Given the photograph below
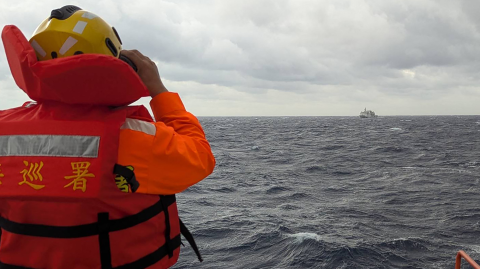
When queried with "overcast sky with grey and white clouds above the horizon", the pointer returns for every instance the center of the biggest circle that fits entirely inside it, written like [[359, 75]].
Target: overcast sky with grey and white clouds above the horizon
[[292, 57]]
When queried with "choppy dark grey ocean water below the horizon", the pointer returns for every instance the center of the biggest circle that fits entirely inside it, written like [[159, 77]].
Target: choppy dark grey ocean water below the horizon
[[336, 192]]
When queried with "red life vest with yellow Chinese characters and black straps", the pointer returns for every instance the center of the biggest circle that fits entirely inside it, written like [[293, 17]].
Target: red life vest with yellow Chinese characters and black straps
[[59, 204]]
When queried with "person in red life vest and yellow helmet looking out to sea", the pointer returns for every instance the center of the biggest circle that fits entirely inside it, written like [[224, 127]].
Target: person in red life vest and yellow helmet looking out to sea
[[81, 132]]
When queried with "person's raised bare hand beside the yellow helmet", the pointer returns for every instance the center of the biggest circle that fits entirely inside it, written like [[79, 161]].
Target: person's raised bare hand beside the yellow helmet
[[147, 71]]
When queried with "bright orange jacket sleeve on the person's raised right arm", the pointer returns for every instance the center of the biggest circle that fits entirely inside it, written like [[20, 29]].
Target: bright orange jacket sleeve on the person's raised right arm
[[169, 155]]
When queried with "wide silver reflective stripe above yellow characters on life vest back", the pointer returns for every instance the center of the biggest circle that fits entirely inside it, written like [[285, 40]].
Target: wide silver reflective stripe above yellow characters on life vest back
[[49, 145]]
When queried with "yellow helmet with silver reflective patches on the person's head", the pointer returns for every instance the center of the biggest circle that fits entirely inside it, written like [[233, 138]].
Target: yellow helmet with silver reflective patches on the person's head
[[70, 31]]
